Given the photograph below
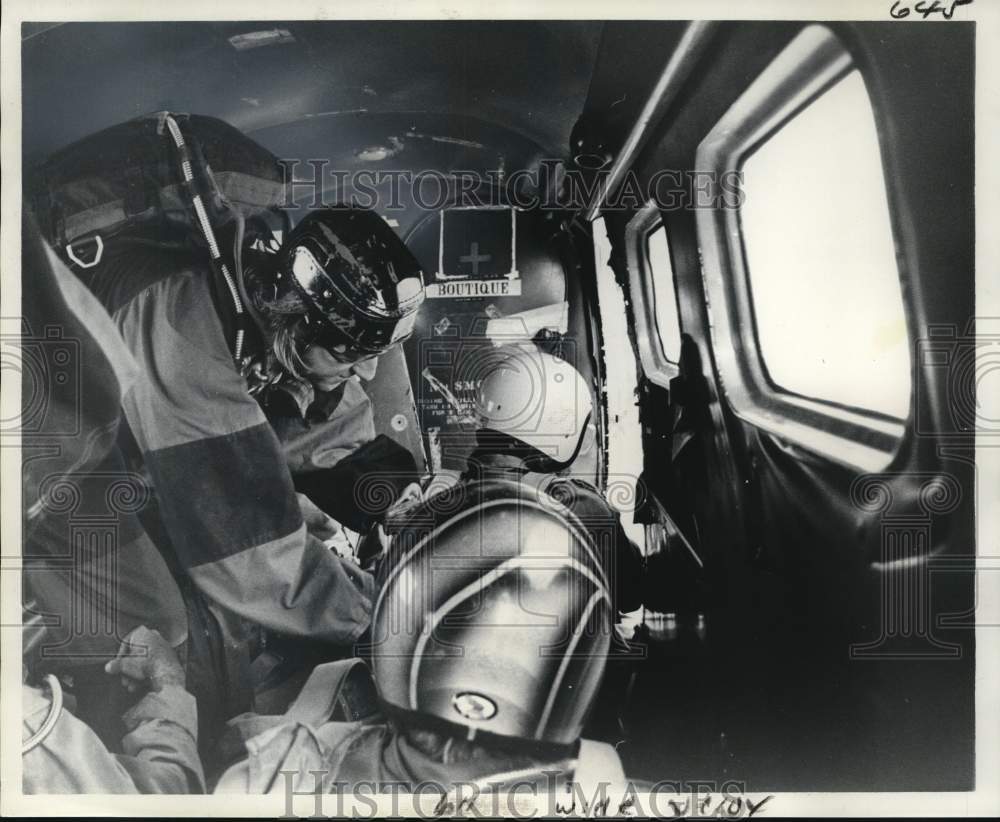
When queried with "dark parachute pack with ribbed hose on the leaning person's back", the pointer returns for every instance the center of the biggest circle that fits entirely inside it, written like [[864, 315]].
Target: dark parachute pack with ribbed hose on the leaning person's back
[[172, 172]]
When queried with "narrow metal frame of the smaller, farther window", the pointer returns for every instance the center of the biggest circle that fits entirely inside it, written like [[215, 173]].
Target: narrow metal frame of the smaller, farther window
[[655, 363]]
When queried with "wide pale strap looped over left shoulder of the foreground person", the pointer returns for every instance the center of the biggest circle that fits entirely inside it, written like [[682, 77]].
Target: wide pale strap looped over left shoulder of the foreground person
[[342, 691]]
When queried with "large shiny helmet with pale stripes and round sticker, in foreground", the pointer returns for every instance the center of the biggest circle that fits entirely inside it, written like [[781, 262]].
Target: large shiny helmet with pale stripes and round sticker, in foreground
[[494, 618]]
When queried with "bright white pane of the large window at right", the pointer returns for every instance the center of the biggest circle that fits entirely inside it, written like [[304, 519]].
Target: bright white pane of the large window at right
[[819, 249]]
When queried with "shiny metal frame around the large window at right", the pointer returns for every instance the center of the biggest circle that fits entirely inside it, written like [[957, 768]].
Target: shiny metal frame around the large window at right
[[860, 439]]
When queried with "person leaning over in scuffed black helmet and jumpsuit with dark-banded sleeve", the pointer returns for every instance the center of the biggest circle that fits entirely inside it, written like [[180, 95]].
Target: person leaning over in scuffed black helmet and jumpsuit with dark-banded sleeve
[[226, 512]]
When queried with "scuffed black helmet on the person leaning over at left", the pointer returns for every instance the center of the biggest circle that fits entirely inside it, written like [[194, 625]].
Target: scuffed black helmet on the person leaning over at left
[[361, 283]]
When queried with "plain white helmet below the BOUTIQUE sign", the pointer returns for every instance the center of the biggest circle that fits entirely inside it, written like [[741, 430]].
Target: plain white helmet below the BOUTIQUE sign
[[535, 398]]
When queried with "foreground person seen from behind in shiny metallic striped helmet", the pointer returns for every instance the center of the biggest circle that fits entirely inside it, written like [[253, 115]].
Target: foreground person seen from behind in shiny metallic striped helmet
[[488, 647]]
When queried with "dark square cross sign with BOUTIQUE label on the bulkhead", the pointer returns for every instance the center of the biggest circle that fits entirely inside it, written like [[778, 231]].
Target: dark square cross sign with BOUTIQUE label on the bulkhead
[[476, 254]]
